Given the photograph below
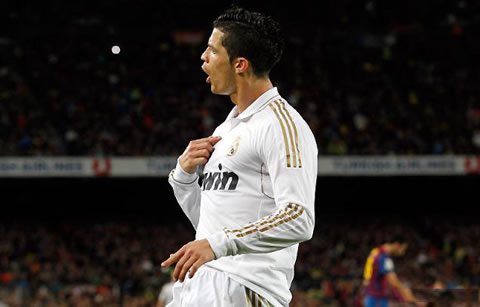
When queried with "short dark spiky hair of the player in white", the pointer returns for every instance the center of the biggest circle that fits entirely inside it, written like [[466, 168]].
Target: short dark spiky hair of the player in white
[[251, 35]]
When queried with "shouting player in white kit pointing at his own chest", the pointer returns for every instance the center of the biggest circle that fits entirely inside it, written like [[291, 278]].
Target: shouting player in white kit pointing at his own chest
[[256, 201]]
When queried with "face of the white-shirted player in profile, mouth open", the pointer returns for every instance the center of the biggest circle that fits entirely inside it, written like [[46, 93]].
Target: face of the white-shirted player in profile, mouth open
[[216, 64]]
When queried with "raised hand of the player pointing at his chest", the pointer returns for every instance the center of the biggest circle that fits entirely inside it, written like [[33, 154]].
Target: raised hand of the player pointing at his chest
[[197, 153]]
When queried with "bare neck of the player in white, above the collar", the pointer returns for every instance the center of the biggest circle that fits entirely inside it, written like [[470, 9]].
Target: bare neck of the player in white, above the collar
[[248, 91]]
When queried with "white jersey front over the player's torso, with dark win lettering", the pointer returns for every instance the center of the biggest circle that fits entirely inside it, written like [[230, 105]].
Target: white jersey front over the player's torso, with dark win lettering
[[236, 188]]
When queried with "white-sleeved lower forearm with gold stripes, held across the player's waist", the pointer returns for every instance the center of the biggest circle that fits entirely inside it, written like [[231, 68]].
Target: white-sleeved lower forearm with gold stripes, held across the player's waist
[[289, 225]]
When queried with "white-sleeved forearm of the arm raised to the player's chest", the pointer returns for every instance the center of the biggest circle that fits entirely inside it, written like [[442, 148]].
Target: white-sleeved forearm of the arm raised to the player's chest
[[187, 192]]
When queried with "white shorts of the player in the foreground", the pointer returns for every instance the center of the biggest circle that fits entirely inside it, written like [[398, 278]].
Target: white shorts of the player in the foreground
[[214, 288]]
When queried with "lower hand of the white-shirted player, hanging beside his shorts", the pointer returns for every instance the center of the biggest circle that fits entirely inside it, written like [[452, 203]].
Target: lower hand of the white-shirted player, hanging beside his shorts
[[189, 258]]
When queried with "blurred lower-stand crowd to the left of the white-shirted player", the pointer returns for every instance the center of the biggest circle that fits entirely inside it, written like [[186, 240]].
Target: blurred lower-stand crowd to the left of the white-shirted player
[[110, 264]]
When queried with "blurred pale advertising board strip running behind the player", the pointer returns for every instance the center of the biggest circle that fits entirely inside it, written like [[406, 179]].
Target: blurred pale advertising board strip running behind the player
[[161, 166]]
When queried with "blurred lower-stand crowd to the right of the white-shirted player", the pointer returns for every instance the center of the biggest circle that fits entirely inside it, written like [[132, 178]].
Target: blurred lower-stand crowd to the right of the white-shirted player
[[441, 254]]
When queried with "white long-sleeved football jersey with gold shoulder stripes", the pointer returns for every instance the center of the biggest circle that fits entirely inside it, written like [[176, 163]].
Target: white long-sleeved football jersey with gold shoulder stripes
[[256, 201]]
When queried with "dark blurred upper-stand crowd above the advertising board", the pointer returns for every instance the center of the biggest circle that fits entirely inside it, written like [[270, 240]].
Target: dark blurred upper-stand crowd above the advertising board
[[369, 77]]
